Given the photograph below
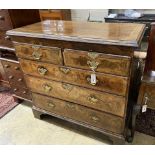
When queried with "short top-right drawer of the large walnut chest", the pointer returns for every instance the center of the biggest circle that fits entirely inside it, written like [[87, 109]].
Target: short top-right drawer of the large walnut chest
[[106, 63]]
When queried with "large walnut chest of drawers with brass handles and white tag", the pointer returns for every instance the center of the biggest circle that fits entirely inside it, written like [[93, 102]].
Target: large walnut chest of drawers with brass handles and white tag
[[80, 71]]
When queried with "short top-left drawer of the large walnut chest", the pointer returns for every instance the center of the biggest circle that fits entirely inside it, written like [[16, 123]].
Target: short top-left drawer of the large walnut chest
[[39, 53]]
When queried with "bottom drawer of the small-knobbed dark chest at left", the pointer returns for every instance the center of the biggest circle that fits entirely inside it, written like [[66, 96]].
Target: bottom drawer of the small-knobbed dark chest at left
[[21, 92]]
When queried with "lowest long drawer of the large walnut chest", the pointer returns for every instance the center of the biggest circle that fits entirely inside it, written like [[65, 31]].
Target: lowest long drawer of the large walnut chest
[[79, 113]]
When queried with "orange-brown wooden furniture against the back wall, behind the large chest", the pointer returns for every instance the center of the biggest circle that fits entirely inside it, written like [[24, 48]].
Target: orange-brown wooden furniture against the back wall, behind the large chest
[[51, 14]]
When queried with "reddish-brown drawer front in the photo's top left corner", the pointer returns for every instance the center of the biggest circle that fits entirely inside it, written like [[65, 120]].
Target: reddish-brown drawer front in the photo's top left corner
[[5, 21]]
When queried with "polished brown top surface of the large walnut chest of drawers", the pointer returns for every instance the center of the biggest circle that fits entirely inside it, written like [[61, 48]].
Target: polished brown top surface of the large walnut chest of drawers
[[124, 34]]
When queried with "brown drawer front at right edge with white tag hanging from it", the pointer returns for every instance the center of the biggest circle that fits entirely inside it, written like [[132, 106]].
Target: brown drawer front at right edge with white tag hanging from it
[[149, 96]]
